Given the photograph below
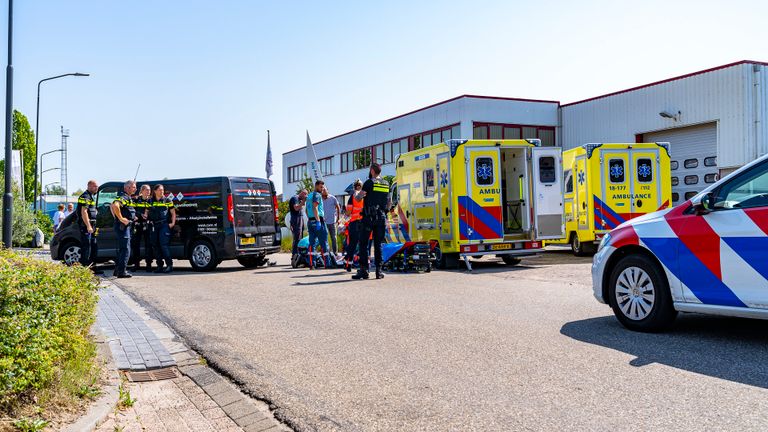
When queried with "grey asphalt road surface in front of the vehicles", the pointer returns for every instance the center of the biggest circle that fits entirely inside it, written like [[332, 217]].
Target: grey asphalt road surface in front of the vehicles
[[523, 348]]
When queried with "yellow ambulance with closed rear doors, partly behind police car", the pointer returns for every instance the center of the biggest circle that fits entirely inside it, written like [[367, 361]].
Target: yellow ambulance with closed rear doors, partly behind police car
[[607, 184]]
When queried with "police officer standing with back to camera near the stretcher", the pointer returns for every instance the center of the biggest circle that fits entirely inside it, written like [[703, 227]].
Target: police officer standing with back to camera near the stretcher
[[375, 205]]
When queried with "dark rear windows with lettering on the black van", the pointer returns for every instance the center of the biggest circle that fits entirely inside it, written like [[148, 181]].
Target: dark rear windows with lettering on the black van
[[252, 204]]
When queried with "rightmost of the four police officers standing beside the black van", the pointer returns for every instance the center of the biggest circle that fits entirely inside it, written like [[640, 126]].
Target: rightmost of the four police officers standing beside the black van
[[162, 216]]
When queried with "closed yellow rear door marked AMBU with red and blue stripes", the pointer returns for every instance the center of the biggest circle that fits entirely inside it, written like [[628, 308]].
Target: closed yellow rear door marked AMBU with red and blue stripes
[[480, 210]]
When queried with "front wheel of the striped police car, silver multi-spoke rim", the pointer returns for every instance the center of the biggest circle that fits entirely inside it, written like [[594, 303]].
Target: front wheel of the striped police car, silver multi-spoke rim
[[639, 295]]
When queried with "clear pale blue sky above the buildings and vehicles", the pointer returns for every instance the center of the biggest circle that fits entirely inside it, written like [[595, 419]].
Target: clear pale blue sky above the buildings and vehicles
[[189, 88]]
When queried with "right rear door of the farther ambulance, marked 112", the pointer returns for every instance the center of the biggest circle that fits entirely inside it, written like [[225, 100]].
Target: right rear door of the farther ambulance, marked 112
[[646, 190]]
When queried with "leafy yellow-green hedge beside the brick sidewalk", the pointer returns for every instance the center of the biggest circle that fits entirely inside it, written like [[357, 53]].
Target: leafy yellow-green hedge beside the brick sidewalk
[[46, 311]]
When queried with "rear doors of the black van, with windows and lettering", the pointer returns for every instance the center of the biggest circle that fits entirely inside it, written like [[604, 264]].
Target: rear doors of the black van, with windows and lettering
[[253, 213]]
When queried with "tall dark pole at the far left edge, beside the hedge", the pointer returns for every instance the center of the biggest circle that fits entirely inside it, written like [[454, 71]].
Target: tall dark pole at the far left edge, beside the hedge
[[8, 195]]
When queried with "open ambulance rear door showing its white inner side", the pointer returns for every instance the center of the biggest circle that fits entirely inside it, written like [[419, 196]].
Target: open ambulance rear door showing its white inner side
[[547, 200]]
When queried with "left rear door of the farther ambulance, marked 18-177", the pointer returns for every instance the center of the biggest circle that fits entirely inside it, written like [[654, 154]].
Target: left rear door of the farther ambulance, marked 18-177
[[614, 206]]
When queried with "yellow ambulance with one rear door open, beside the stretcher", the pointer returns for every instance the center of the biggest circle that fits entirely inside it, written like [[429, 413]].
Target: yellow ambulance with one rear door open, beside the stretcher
[[471, 198]]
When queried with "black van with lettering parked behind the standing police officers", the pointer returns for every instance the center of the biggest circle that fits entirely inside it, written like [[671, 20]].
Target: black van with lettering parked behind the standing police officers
[[217, 218]]
